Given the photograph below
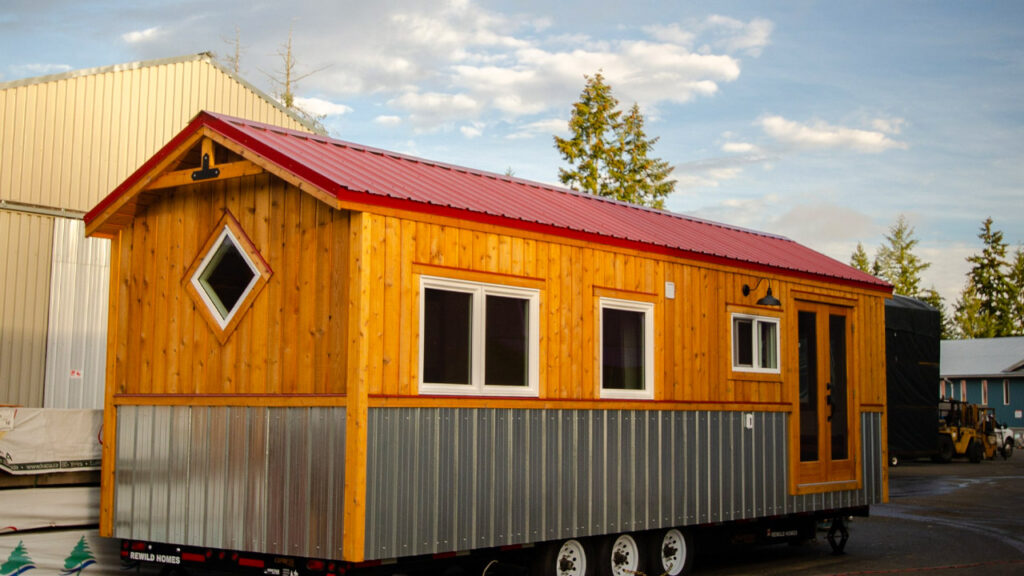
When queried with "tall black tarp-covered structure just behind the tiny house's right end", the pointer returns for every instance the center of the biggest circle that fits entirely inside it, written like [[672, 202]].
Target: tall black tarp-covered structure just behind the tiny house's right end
[[913, 335]]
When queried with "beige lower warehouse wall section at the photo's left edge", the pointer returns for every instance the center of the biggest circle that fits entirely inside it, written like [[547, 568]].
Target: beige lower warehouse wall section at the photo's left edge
[[26, 244]]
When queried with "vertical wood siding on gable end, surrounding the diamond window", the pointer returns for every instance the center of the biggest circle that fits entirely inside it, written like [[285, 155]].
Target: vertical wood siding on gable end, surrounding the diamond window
[[292, 339]]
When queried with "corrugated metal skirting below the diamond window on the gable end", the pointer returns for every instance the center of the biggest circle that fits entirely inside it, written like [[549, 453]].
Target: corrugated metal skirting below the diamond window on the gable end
[[251, 479]]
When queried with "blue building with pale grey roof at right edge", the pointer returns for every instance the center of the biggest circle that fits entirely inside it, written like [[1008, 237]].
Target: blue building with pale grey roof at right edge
[[989, 373]]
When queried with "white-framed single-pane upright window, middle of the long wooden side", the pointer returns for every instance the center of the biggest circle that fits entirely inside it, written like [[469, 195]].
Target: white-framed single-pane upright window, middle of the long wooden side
[[627, 349]]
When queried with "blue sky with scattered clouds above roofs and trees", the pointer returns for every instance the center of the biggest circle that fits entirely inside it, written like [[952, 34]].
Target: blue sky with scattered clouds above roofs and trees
[[820, 121]]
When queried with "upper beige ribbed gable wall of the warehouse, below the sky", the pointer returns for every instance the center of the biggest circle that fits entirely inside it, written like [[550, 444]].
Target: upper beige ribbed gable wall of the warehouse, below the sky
[[67, 141]]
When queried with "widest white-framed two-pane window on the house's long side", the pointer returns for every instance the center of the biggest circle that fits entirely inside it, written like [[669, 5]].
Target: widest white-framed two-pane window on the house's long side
[[479, 339]]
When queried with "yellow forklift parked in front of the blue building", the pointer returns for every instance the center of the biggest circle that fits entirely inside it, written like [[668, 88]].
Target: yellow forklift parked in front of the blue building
[[966, 430]]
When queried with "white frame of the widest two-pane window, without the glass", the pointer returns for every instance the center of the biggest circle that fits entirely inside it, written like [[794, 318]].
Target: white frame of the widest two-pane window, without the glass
[[480, 292]]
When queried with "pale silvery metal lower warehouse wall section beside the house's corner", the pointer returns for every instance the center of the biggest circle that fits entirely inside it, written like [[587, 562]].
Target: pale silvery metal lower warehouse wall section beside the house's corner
[[76, 345]]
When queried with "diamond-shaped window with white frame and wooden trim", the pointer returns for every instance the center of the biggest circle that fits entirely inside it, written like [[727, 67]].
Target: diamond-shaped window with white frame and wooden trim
[[227, 277]]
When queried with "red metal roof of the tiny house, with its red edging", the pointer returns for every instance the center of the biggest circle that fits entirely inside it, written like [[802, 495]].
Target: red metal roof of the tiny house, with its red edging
[[366, 176]]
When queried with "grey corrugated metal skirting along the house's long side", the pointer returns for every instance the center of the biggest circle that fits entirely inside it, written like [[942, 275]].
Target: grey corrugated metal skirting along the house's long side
[[443, 480]]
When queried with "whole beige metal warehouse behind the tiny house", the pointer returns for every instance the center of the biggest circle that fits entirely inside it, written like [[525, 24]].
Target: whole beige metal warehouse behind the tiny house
[[66, 141]]
